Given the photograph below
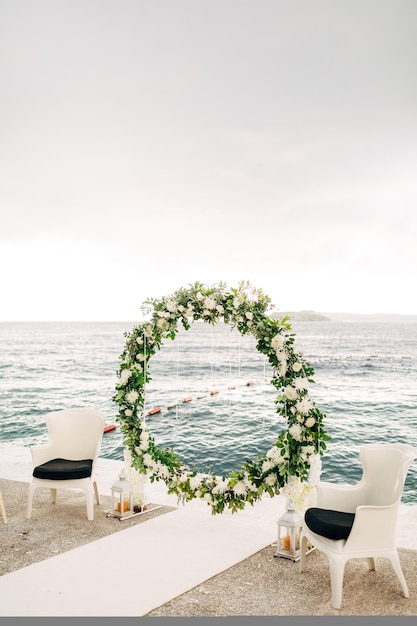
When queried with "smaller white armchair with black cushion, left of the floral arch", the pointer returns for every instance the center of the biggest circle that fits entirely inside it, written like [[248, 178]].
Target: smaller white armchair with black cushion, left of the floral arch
[[69, 458]]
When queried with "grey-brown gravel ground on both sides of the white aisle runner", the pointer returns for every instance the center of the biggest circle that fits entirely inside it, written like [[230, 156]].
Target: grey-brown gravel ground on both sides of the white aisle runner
[[260, 585]]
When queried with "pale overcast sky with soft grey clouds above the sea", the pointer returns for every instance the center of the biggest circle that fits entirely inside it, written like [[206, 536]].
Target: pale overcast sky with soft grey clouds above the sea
[[149, 144]]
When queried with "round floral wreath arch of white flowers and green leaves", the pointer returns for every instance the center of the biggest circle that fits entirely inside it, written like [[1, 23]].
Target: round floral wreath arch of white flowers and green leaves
[[291, 466]]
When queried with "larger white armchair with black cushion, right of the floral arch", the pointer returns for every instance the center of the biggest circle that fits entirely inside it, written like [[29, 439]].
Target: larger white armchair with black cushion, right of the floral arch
[[359, 521]]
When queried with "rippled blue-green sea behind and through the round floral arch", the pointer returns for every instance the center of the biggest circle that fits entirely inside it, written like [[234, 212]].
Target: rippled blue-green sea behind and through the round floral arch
[[365, 382]]
